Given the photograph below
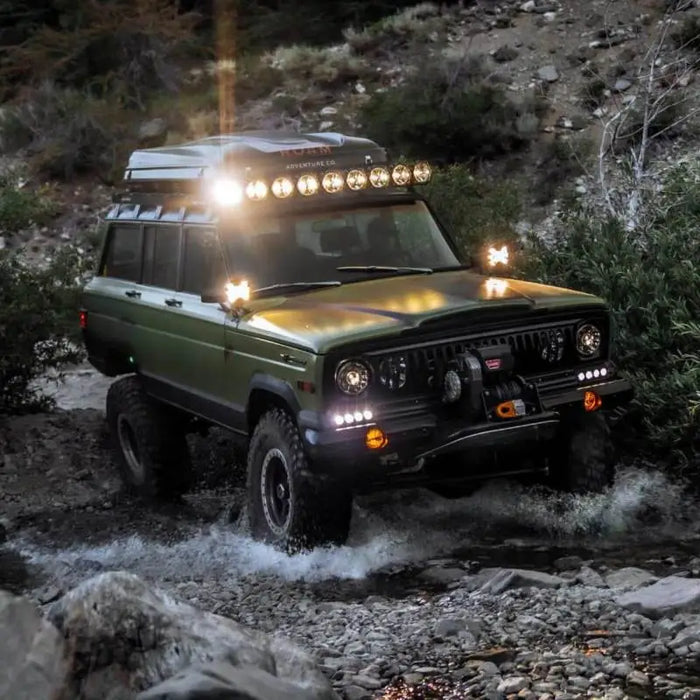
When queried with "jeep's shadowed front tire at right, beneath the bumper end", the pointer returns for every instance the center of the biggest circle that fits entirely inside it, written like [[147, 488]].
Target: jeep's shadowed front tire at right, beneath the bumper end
[[582, 460]]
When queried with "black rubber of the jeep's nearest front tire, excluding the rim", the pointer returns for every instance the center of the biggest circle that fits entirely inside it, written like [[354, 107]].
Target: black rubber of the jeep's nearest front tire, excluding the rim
[[323, 508]]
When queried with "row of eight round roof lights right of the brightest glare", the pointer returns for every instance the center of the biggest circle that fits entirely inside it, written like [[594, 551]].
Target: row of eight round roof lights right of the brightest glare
[[334, 181]]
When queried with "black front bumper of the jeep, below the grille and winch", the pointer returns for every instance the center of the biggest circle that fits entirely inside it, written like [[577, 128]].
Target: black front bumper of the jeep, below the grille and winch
[[424, 435]]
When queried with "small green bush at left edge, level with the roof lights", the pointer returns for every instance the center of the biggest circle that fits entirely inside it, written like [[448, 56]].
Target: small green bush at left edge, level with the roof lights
[[21, 206]]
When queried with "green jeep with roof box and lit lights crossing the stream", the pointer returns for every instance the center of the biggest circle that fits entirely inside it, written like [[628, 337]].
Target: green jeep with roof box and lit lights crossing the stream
[[296, 290]]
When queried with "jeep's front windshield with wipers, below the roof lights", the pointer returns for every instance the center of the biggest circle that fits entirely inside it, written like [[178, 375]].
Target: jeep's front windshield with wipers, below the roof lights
[[339, 246]]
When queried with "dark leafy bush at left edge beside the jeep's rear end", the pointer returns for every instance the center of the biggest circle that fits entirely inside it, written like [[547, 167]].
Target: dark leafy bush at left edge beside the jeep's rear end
[[39, 310]]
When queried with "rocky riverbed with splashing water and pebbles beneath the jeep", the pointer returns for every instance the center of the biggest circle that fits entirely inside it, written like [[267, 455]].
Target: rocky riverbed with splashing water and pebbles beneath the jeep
[[511, 592]]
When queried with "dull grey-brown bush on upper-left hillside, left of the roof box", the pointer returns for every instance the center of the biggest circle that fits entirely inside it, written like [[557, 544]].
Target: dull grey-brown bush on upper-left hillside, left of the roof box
[[66, 131]]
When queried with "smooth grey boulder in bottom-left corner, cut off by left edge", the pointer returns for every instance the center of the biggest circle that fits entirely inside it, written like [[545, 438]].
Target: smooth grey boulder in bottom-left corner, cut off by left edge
[[31, 652]]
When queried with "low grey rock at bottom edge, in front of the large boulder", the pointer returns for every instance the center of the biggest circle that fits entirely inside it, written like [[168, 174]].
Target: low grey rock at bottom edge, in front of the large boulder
[[222, 680]]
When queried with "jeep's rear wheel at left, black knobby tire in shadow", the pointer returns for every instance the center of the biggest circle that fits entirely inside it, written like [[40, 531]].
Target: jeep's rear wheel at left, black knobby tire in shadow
[[149, 441]]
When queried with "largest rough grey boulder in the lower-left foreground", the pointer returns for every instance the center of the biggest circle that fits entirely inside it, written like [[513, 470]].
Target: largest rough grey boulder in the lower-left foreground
[[125, 635]]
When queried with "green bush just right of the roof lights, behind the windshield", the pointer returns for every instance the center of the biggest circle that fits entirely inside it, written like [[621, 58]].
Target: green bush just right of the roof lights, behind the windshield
[[475, 210]]
